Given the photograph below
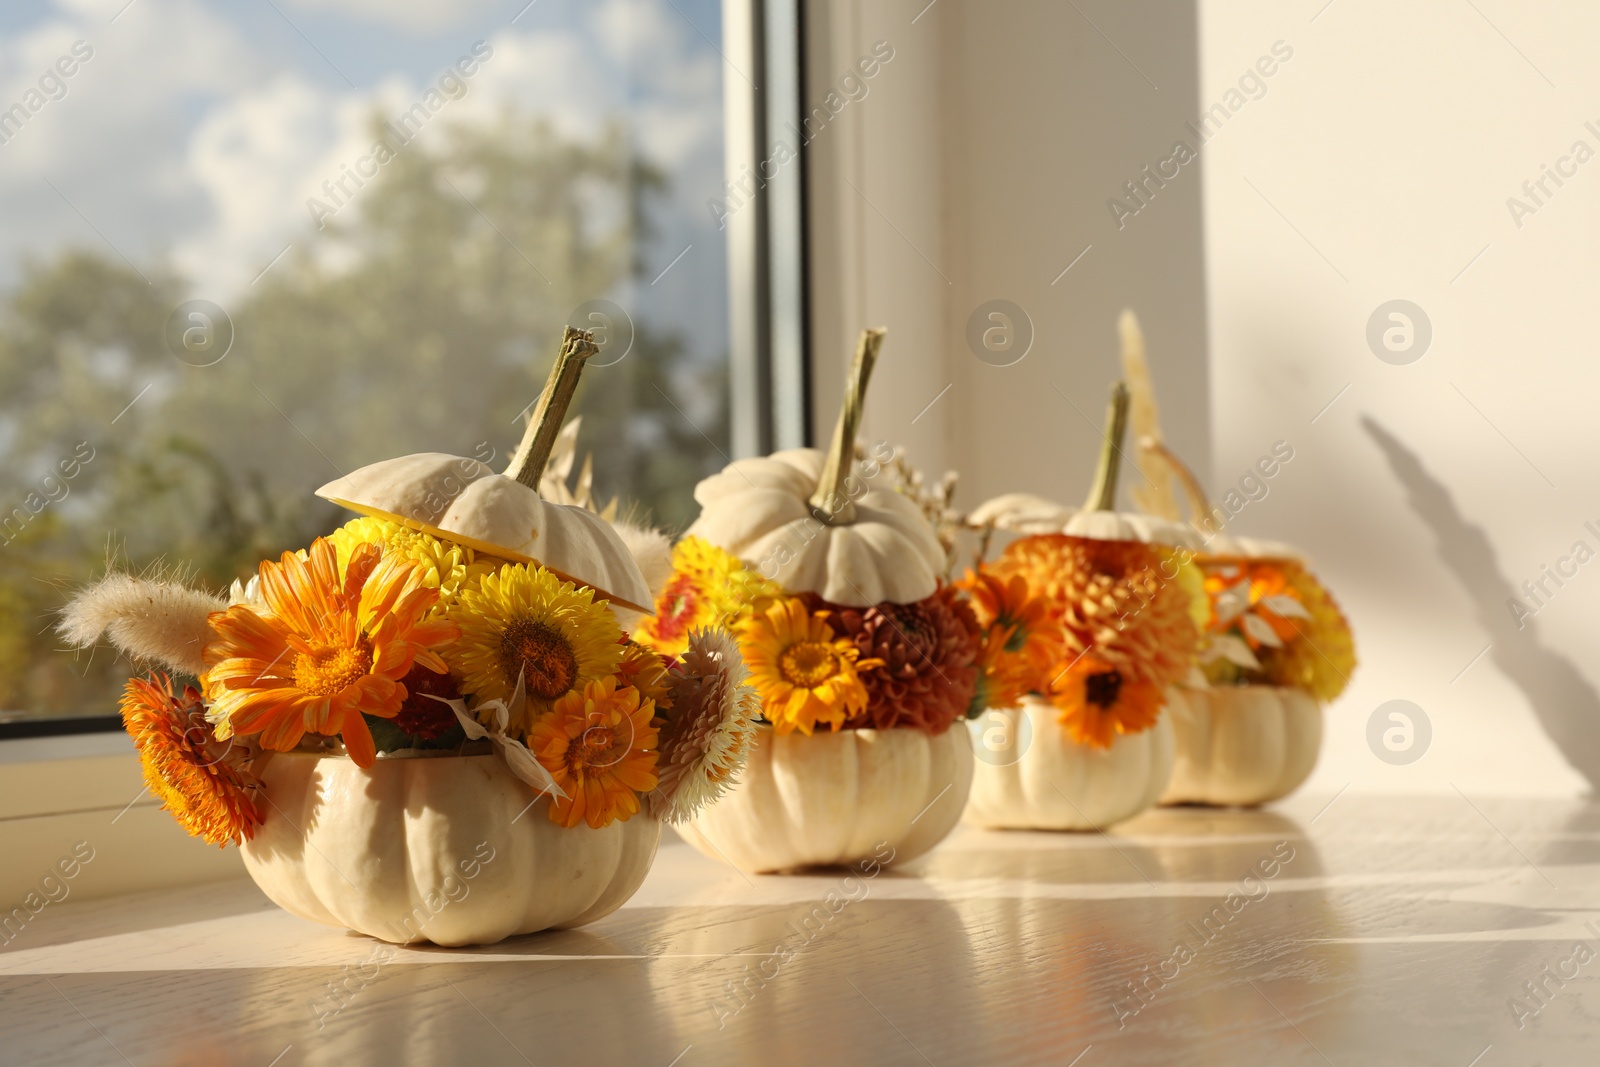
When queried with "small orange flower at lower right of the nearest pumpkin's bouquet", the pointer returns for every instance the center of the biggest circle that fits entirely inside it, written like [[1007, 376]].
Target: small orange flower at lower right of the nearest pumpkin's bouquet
[[599, 746]]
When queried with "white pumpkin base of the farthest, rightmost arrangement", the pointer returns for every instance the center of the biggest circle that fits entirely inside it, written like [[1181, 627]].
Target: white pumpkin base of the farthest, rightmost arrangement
[[1242, 745]]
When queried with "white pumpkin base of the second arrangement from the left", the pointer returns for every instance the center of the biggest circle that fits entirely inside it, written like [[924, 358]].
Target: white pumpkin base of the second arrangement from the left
[[833, 799]]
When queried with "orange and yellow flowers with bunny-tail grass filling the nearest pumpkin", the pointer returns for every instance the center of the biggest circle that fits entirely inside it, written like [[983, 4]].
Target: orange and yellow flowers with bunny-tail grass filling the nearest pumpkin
[[383, 641]]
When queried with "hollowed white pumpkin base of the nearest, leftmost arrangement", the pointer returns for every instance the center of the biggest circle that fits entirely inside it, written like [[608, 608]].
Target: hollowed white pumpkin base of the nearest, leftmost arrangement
[[452, 850]]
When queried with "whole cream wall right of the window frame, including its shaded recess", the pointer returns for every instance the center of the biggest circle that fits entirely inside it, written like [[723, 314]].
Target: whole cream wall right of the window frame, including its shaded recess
[[1375, 166]]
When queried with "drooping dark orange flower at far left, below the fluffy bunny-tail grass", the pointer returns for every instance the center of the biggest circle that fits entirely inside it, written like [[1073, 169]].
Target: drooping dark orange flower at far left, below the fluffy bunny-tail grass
[[202, 781]]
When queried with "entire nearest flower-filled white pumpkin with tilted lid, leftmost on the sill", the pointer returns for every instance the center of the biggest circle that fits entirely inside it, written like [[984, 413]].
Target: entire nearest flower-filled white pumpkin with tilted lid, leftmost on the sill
[[431, 724]]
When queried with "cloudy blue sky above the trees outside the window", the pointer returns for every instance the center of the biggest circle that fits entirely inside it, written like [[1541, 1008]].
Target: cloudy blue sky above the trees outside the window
[[196, 130]]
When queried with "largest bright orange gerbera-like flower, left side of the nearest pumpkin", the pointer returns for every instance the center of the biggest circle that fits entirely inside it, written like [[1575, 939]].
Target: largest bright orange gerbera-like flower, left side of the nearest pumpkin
[[326, 652]]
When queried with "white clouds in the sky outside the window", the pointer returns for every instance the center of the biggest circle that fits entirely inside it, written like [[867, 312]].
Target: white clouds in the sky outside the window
[[185, 138]]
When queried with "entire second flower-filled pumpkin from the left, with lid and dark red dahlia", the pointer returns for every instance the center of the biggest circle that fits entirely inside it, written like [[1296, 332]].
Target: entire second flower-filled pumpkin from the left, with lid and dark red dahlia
[[862, 657]]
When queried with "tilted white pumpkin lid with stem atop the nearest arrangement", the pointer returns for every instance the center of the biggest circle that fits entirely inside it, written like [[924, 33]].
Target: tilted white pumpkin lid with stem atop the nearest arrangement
[[503, 514]]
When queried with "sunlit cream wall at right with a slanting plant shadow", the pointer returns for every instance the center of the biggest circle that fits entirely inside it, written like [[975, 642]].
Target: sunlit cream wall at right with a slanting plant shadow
[[1388, 148]]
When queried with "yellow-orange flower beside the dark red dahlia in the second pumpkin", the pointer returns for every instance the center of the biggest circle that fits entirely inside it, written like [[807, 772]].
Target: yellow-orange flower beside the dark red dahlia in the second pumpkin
[[802, 669]]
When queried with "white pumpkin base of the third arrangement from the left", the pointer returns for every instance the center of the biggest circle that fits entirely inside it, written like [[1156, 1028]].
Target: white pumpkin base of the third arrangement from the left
[[1033, 777]]
